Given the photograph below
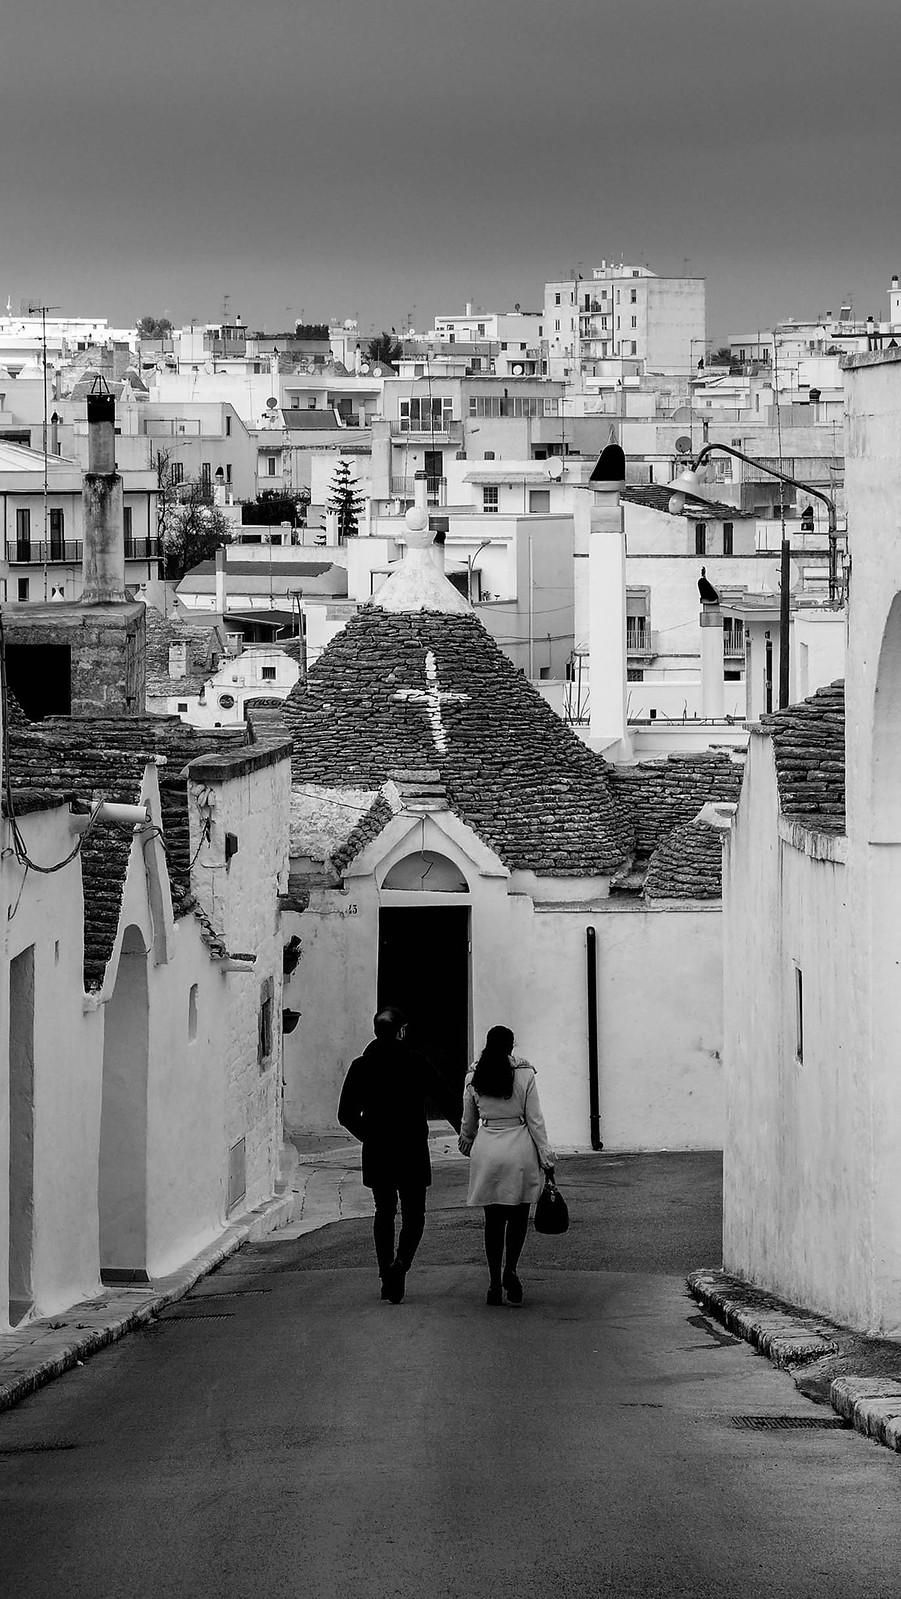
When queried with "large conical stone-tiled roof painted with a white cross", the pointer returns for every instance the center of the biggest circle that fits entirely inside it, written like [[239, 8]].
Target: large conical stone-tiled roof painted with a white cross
[[513, 772]]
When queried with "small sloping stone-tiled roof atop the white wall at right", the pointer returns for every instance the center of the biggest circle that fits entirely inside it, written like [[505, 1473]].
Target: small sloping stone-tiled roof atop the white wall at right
[[809, 749]]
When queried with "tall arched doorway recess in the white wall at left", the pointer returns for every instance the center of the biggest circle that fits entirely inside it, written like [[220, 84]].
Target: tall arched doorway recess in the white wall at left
[[122, 1179]]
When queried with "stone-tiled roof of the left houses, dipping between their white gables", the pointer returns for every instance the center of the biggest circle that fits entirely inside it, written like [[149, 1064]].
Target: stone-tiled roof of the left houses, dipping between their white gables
[[106, 759]]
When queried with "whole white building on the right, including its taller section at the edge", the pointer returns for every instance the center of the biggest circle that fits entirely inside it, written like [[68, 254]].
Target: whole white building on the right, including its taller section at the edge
[[812, 938]]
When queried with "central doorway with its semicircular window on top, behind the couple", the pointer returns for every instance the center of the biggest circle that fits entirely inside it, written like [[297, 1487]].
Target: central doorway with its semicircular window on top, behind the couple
[[425, 959]]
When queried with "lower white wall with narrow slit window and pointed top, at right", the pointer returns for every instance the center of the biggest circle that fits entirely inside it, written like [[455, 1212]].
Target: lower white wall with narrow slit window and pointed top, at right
[[798, 1163]]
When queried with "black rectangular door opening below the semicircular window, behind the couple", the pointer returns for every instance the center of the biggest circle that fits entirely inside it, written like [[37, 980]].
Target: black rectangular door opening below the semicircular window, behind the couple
[[425, 970]]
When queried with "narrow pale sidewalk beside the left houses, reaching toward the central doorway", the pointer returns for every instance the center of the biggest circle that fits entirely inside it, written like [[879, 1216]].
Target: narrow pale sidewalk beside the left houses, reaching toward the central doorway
[[326, 1187]]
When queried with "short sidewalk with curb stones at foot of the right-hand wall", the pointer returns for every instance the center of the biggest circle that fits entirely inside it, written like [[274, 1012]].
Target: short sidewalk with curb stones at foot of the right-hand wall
[[860, 1378]]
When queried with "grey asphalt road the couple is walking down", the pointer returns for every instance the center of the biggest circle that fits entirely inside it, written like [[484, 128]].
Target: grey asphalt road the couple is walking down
[[284, 1434]]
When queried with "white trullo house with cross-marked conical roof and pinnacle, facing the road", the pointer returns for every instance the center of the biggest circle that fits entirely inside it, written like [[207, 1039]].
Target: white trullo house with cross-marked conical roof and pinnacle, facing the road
[[468, 858]]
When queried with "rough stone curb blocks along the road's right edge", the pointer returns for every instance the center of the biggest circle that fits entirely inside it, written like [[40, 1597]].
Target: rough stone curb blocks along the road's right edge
[[871, 1405]]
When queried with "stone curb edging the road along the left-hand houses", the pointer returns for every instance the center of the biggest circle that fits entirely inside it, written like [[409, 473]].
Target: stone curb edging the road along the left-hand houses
[[250, 1229]]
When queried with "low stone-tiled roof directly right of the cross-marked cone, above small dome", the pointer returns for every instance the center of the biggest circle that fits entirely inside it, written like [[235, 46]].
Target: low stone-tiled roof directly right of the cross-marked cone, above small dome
[[665, 796]]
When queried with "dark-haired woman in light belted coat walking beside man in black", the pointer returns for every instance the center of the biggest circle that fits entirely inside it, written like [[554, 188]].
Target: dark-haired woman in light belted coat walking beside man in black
[[505, 1136]]
